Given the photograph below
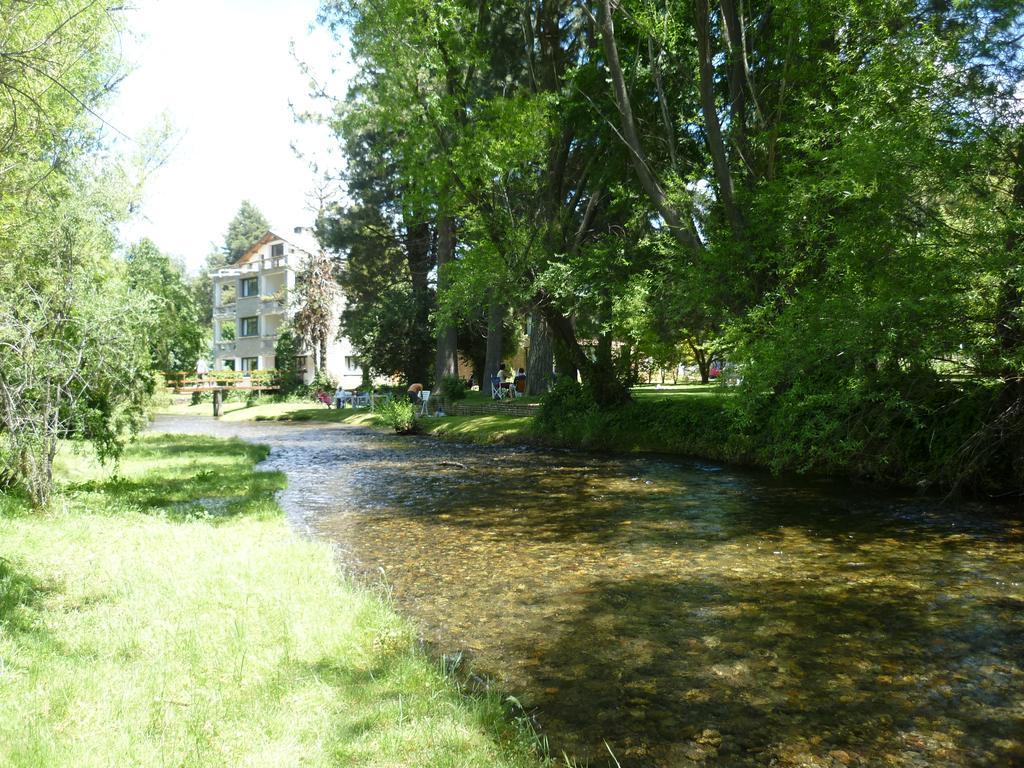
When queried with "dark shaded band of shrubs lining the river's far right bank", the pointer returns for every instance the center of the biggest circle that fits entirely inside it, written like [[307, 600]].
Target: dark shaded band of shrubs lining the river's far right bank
[[930, 440]]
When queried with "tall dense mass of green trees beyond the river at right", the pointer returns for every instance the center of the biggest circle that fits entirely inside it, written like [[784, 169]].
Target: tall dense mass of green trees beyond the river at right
[[828, 197]]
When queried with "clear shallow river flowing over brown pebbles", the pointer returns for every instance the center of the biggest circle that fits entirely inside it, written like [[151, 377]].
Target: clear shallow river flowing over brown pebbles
[[686, 614]]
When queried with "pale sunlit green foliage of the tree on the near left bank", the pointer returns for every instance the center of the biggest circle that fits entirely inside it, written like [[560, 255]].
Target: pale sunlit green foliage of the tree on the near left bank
[[75, 352]]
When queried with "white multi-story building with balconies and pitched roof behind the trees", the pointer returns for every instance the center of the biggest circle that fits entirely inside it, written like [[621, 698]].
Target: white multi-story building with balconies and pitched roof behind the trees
[[254, 297]]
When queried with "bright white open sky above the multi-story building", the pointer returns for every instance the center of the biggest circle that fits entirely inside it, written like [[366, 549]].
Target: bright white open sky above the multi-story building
[[223, 72]]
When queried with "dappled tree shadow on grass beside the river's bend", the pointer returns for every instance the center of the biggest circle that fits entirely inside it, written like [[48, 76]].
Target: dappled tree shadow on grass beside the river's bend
[[190, 478]]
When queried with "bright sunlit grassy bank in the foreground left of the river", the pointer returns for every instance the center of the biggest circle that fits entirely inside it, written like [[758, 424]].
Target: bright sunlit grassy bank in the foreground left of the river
[[169, 617]]
